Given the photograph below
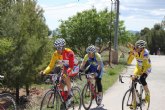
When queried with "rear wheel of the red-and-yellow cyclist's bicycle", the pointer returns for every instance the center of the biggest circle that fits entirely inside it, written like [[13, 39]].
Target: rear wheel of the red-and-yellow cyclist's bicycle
[[76, 104]]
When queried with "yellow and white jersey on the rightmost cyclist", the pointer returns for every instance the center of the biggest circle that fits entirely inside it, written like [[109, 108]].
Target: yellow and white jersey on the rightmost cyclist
[[143, 61]]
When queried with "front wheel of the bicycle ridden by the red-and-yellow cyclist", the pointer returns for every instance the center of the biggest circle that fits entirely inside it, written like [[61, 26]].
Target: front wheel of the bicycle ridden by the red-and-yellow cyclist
[[52, 101]]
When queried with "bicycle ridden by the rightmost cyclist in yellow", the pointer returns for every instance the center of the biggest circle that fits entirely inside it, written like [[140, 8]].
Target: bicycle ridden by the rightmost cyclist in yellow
[[133, 96]]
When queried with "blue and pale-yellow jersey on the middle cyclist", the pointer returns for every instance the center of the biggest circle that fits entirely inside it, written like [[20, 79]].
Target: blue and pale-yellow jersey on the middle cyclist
[[93, 62]]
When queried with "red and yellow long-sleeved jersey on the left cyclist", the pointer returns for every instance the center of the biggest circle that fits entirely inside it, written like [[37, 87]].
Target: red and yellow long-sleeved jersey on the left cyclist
[[67, 58]]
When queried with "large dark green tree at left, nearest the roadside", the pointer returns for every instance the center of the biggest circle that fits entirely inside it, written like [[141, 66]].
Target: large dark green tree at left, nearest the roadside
[[24, 24]]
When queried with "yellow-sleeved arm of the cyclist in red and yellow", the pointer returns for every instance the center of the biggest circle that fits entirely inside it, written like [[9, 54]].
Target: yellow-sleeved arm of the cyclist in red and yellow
[[51, 64]]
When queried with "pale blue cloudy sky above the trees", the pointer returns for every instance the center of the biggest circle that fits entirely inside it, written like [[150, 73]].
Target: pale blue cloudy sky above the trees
[[136, 14]]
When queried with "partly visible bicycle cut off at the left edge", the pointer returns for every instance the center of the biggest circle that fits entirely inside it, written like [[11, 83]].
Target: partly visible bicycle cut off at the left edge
[[7, 101]]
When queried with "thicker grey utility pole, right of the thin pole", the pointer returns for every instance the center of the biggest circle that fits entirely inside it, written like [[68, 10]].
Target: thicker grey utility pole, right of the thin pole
[[116, 32]]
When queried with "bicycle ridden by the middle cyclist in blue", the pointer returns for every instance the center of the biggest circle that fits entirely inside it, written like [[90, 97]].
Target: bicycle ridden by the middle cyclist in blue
[[89, 92]]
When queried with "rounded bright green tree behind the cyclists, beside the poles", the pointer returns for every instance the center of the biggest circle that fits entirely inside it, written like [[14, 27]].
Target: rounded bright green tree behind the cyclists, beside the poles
[[86, 28]]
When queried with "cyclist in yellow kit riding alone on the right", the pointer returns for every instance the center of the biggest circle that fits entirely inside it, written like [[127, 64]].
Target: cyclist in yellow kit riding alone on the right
[[143, 66]]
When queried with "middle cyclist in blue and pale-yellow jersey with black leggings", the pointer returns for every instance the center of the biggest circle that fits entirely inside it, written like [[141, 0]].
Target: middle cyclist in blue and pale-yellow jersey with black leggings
[[93, 59]]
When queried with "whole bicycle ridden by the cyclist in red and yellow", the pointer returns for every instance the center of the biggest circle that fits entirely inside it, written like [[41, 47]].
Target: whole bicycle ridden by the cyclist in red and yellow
[[56, 99]]
